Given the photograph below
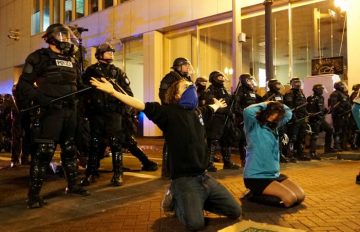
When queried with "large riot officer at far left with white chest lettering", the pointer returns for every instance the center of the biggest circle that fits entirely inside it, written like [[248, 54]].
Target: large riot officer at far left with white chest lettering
[[55, 73]]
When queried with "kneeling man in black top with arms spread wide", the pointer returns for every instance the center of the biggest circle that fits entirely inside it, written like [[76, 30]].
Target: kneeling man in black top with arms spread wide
[[183, 126]]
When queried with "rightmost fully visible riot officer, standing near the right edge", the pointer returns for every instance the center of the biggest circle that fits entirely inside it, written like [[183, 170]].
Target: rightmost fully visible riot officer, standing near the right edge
[[340, 107]]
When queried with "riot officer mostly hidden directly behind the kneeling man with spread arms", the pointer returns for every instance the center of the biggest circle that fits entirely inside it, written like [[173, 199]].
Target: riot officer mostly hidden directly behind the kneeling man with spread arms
[[181, 69]]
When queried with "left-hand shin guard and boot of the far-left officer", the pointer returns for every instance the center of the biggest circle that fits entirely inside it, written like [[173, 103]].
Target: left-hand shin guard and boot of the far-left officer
[[39, 163]]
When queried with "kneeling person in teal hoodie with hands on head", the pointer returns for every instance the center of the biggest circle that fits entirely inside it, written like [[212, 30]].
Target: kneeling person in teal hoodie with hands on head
[[262, 169]]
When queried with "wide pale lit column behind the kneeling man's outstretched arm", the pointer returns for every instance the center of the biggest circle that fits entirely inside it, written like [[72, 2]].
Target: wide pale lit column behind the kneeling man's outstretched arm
[[153, 73]]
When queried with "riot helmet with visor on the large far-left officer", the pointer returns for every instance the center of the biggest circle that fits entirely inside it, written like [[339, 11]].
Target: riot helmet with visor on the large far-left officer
[[62, 37]]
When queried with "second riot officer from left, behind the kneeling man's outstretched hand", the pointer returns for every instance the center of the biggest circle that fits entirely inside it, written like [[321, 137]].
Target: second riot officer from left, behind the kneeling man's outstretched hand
[[105, 115]]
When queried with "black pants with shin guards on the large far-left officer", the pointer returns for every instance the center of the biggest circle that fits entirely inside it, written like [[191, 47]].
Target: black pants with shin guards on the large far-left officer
[[57, 125]]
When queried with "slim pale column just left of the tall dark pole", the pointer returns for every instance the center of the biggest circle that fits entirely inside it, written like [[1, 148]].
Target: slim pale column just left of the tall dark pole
[[236, 45]]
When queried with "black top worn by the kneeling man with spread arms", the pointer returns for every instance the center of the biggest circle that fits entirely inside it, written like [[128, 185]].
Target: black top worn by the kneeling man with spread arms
[[185, 136]]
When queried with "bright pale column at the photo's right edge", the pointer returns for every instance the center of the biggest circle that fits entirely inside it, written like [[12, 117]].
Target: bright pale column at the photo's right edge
[[353, 46]]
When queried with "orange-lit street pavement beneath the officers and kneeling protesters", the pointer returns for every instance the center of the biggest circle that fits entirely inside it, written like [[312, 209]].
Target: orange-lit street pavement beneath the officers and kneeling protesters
[[332, 199]]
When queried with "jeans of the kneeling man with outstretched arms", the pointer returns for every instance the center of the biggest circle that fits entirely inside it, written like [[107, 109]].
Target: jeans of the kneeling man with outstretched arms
[[192, 195]]
